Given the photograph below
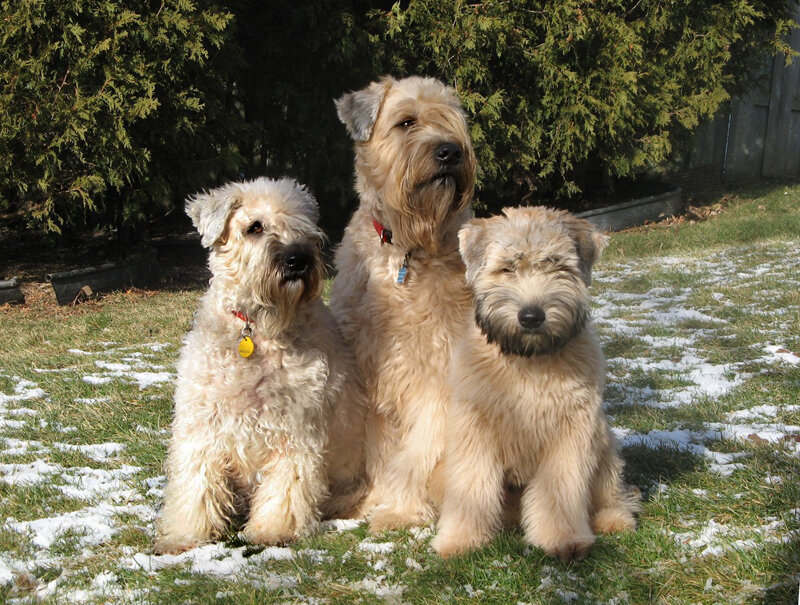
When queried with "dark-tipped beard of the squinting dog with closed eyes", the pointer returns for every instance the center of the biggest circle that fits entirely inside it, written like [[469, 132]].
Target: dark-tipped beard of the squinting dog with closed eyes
[[565, 321]]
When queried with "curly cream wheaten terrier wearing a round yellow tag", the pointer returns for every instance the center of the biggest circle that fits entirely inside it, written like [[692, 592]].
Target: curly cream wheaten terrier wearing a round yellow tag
[[269, 406]]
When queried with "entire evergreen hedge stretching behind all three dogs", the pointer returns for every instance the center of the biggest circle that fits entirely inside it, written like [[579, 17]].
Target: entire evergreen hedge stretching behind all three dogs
[[112, 111]]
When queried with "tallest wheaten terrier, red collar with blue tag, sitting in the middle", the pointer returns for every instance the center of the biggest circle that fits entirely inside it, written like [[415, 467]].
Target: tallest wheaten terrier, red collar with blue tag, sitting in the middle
[[400, 286]]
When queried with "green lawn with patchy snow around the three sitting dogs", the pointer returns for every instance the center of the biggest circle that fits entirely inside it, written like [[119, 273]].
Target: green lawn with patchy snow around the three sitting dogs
[[672, 302]]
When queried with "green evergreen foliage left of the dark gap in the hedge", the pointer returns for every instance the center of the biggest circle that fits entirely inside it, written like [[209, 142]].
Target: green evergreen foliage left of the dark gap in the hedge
[[108, 107]]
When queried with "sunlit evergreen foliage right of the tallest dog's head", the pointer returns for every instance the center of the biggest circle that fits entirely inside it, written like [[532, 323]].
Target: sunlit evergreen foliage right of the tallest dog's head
[[564, 95]]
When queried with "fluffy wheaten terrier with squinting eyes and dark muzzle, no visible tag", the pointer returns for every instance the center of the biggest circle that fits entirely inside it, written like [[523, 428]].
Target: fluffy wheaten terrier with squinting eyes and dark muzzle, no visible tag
[[527, 380]]
